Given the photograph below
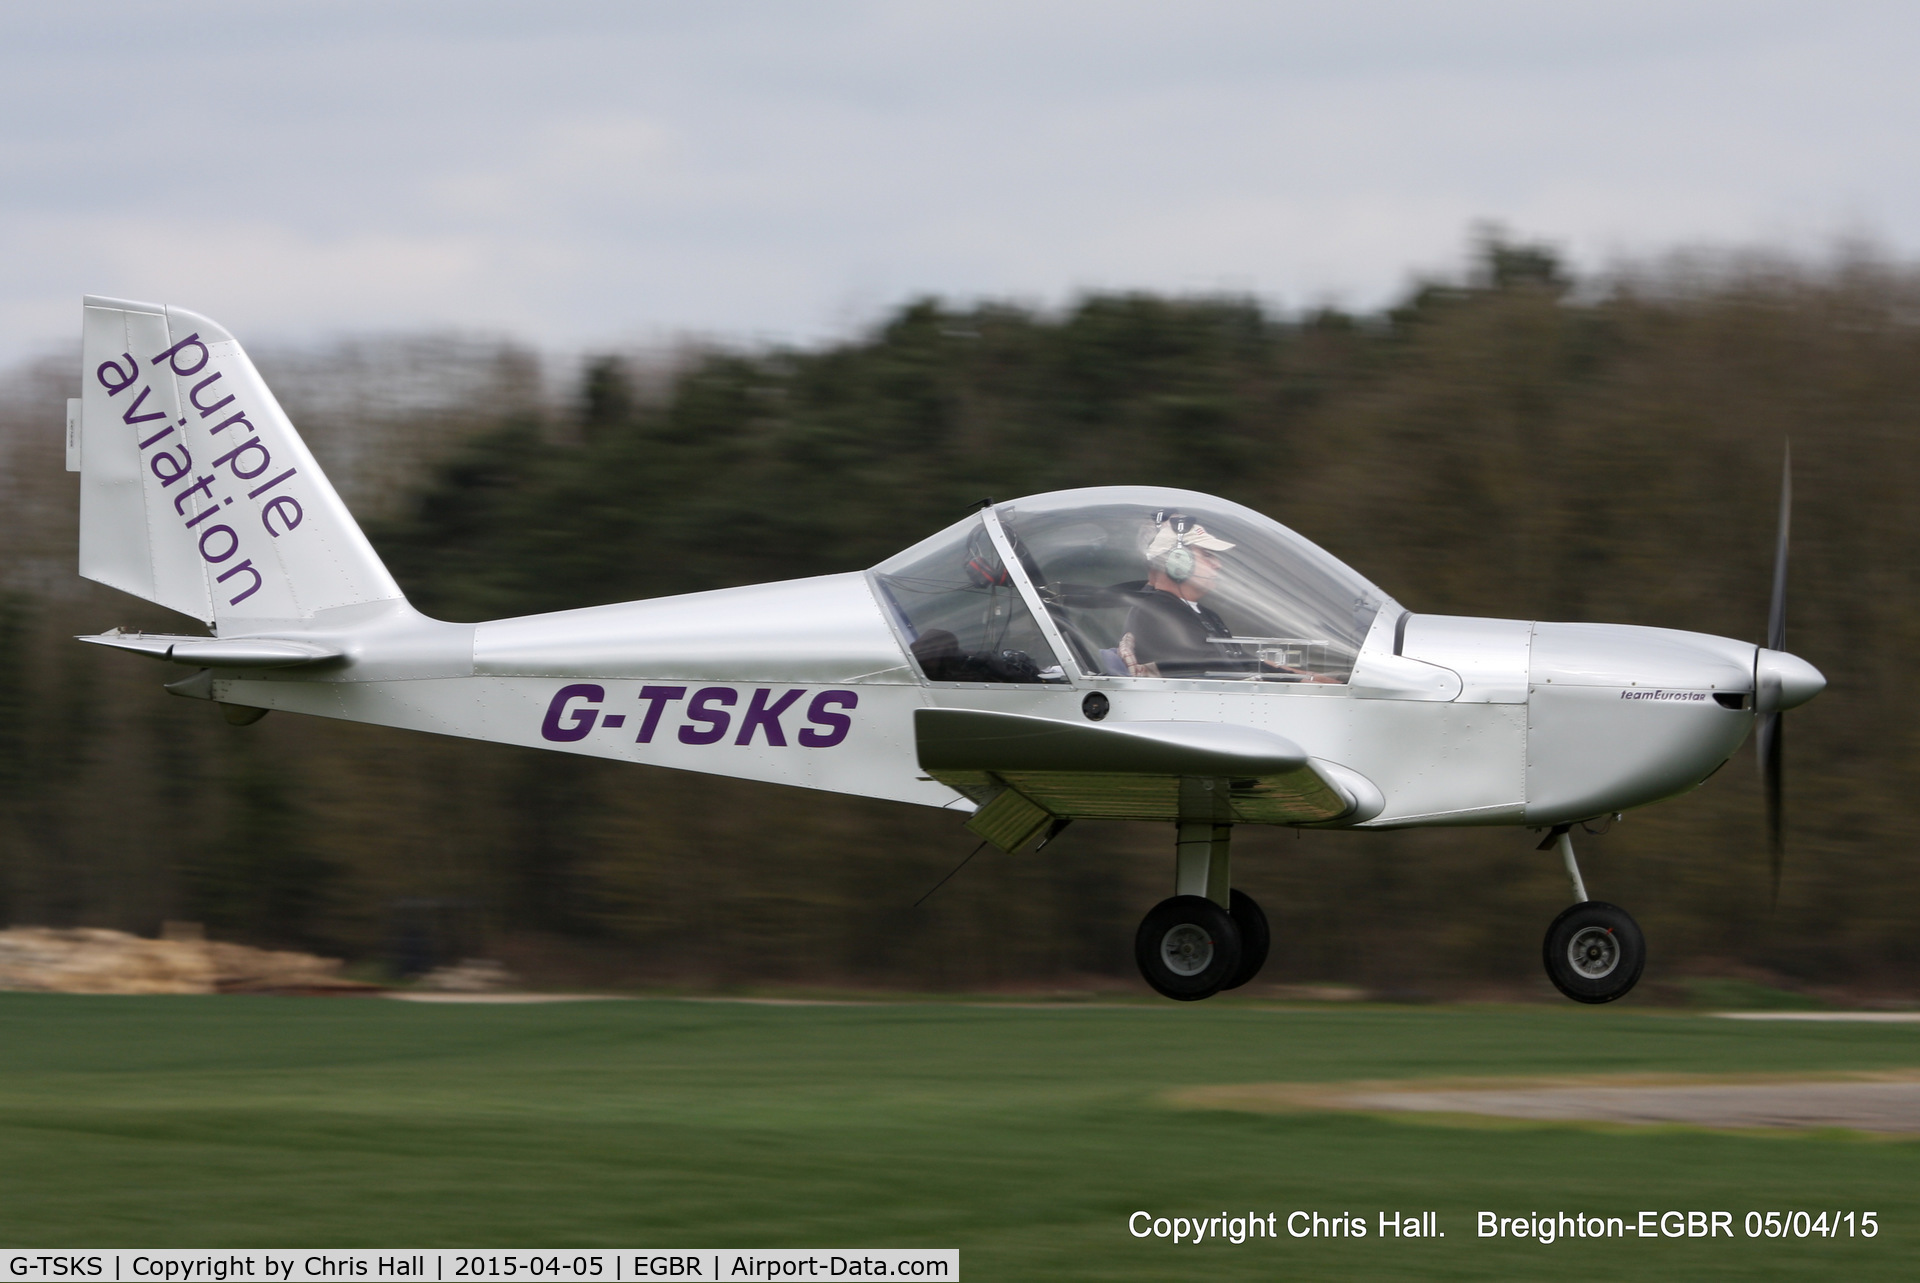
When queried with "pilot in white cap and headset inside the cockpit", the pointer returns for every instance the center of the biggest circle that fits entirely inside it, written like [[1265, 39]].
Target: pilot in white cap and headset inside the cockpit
[[1168, 629]]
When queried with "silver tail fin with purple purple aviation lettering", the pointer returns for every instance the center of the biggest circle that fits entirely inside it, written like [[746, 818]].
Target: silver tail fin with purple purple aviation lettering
[[195, 489]]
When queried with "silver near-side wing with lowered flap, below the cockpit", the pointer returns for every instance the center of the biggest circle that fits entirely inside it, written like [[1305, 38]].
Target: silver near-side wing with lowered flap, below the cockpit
[[1028, 771]]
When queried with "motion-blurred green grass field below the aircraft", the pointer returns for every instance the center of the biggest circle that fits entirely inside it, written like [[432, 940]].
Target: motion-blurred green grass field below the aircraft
[[1020, 1136]]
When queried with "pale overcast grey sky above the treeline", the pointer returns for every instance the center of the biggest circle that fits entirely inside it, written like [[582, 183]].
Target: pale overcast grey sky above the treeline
[[606, 174]]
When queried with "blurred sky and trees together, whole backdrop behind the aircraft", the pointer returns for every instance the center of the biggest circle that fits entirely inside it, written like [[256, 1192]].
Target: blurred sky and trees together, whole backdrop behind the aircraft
[[1510, 310]]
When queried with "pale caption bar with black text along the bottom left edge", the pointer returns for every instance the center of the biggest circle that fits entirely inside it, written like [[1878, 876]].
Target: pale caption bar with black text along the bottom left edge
[[479, 1265]]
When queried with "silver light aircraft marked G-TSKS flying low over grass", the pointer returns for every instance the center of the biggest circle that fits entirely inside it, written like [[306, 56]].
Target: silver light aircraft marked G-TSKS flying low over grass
[[1118, 654]]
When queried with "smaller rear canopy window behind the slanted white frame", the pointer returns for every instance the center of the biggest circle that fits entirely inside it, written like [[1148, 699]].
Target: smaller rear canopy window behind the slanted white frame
[[961, 612]]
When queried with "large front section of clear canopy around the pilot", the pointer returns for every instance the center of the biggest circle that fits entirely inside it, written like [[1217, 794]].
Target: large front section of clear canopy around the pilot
[[1176, 585]]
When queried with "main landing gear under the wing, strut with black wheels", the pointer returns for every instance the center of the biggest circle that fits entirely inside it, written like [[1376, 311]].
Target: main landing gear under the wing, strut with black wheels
[[1209, 936]]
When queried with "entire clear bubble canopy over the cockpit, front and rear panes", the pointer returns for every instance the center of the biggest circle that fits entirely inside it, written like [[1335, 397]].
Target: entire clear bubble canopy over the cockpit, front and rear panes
[[1140, 583]]
